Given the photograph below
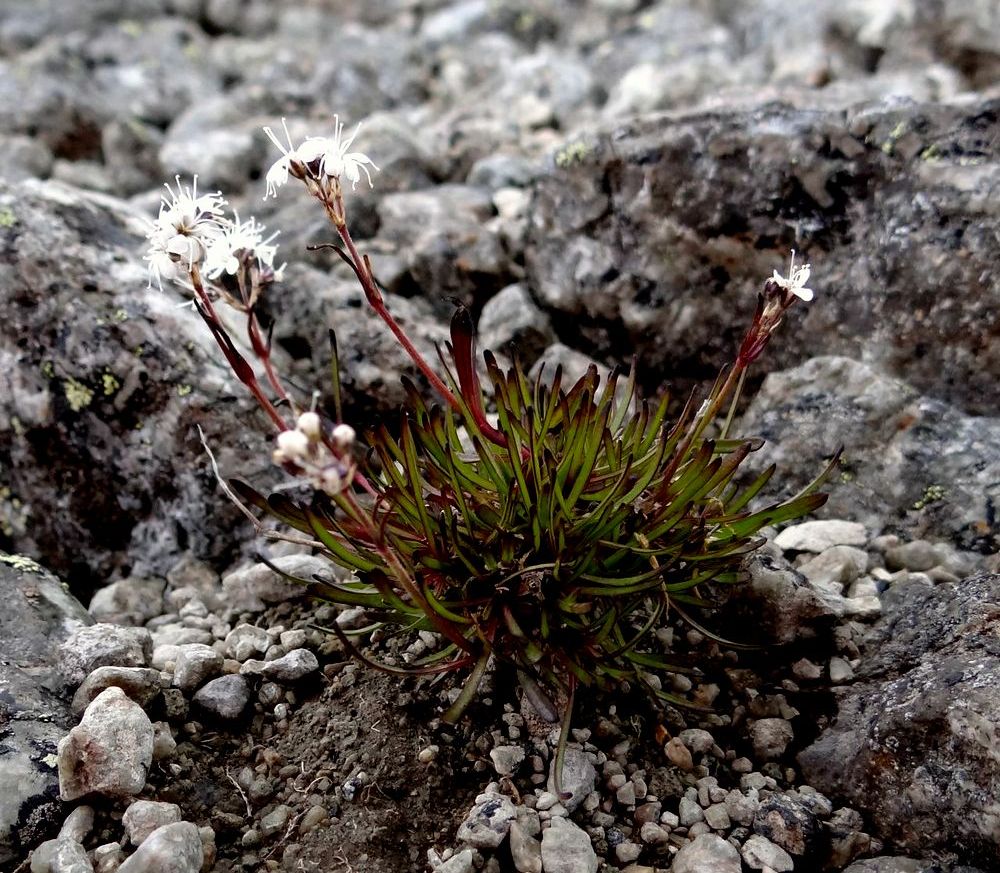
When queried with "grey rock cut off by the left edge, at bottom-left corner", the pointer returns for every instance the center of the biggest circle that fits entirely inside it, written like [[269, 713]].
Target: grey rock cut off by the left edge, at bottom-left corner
[[38, 614]]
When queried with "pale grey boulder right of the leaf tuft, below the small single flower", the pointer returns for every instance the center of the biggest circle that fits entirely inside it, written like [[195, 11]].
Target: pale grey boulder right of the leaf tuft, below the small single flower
[[912, 463]]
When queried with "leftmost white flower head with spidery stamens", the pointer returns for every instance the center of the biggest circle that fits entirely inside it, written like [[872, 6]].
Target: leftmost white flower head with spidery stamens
[[183, 231]]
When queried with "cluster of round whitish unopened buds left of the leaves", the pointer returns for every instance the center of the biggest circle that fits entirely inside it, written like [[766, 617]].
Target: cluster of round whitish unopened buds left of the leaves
[[323, 460]]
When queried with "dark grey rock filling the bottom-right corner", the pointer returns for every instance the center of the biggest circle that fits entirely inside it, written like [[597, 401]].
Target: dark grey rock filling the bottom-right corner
[[915, 742]]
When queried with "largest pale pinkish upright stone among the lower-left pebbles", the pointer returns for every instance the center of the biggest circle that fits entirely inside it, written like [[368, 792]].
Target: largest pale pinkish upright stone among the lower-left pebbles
[[109, 752]]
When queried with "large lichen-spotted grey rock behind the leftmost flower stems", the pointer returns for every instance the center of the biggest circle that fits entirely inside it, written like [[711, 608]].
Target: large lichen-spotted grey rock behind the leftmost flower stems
[[102, 384]]
